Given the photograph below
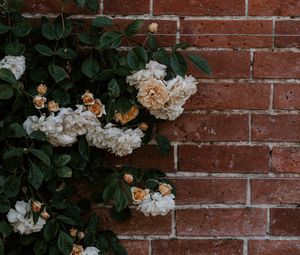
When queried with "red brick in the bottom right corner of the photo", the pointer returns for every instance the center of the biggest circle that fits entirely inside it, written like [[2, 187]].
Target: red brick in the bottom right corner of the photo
[[273, 247]]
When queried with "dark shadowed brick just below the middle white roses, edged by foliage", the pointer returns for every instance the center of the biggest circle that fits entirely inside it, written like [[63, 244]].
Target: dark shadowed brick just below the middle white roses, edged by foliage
[[145, 157]]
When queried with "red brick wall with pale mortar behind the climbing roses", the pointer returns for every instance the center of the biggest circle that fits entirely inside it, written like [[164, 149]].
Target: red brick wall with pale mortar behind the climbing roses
[[236, 152]]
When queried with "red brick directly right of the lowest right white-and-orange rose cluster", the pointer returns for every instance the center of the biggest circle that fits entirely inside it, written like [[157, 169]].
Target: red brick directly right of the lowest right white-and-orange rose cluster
[[199, 191]]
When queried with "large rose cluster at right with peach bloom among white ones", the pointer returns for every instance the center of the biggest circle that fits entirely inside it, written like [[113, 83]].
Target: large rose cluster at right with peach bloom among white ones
[[164, 99]]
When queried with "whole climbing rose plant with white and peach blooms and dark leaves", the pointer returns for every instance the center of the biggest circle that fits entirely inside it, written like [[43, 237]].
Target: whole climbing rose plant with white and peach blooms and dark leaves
[[68, 91]]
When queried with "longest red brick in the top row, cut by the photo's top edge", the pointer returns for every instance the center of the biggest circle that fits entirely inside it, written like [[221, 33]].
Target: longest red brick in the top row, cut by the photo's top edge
[[199, 8]]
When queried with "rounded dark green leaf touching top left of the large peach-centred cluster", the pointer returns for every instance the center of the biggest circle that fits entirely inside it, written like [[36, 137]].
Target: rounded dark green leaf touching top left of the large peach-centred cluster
[[137, 58]]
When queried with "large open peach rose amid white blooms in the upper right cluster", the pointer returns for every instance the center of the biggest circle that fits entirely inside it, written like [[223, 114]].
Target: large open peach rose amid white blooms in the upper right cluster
[[153, 94]]
